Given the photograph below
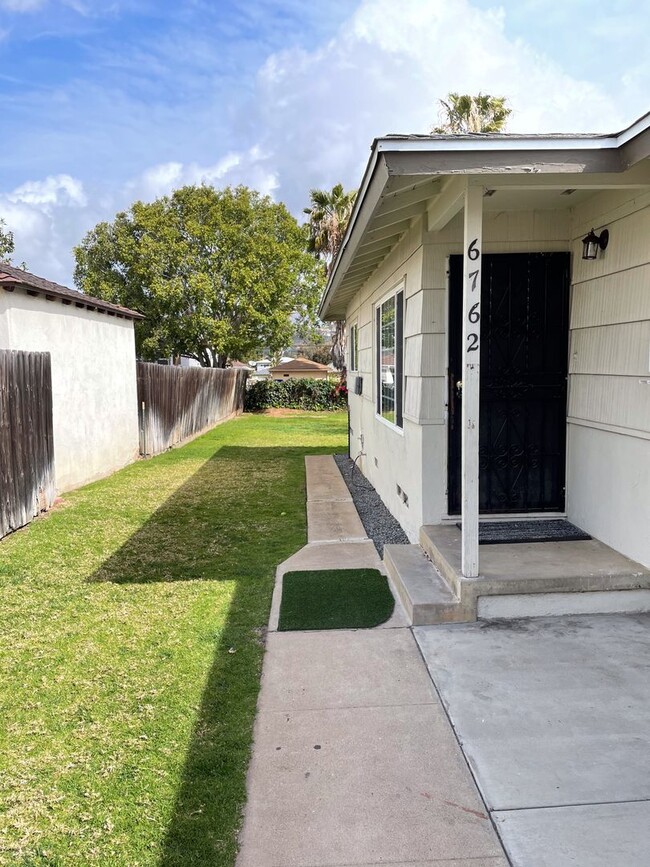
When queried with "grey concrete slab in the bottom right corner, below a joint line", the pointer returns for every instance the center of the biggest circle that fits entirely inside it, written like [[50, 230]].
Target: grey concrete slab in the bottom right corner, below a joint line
[[602, 835]]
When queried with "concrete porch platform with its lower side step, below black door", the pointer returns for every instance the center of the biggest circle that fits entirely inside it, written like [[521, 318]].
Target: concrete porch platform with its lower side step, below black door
[[518, 580]]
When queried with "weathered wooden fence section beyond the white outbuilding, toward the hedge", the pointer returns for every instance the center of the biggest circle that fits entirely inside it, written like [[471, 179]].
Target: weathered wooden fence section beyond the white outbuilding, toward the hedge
[[176, 403]]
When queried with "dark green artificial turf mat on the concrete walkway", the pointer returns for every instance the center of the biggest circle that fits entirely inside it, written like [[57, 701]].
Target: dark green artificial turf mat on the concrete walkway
[[334, 599]]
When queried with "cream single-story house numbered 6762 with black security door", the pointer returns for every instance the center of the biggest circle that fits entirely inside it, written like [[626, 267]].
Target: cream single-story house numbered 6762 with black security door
[[494, 371]]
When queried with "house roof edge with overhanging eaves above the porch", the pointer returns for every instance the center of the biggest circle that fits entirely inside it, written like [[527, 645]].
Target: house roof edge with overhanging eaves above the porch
[[412, 176]]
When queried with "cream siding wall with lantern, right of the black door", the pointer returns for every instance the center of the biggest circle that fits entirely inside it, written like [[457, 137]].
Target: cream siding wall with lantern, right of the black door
[[608, 477]]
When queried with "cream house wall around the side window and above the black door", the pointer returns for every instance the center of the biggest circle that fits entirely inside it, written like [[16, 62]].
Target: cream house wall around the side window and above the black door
[[416, 460]]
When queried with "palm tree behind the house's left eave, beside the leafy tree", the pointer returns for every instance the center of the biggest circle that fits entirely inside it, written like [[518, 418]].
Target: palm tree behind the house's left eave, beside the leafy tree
[[329, 215]]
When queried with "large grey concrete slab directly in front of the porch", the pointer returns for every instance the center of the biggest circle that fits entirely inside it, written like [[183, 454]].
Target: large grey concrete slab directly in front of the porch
[[551, 712]]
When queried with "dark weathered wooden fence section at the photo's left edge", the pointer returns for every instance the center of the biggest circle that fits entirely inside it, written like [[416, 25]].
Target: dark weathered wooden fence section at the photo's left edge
[[26, 438]]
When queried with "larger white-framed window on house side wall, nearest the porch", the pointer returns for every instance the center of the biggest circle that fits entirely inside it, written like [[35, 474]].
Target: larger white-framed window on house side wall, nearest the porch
[[390, 351]]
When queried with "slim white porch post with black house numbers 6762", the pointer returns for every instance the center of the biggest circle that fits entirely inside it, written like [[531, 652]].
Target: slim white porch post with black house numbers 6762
[[472, 262]]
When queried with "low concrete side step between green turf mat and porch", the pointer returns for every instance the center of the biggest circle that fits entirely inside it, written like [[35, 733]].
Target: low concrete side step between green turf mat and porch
[[423, 592]]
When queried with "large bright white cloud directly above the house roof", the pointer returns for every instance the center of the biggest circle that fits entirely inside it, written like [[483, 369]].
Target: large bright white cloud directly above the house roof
[[319, 111]]
